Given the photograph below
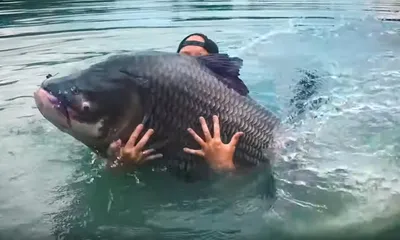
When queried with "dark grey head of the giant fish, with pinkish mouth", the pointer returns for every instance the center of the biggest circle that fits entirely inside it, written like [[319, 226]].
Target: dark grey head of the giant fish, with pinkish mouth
[[95, 107]]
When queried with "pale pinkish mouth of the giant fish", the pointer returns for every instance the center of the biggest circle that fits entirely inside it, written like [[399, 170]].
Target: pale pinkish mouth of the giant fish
[[52, 108]]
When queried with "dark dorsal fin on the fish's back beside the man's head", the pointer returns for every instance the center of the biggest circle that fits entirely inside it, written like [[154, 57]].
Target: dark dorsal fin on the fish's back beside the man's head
[[226, 69]]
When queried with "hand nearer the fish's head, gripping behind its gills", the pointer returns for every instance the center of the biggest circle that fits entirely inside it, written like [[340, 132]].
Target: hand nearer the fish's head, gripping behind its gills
[[131, 153]]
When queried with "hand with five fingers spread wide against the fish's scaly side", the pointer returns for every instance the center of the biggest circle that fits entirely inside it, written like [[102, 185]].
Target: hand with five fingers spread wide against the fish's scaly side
[[218, 154]]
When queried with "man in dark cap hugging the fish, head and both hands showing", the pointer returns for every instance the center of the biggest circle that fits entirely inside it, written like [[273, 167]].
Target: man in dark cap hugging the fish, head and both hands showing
[[218, 155]]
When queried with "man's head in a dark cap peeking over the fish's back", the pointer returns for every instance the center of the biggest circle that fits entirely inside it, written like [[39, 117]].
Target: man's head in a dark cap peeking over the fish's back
[[197, 44]]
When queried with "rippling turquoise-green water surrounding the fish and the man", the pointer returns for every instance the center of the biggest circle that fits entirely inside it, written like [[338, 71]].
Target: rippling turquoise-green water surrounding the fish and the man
[[340, 181]]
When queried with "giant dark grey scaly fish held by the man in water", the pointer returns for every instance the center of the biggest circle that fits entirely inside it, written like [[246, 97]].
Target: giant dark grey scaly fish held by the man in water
[[167, 92]]
